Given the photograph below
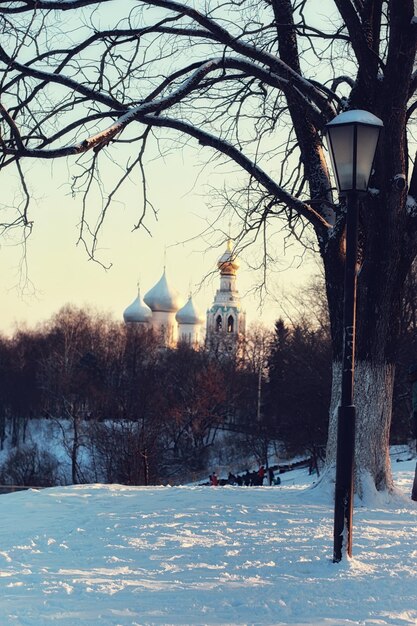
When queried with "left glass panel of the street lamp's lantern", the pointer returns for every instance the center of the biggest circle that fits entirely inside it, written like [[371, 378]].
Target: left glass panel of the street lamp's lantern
[[341, 148]]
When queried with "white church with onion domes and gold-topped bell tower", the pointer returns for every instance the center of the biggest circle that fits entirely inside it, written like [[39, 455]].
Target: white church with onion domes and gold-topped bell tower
[[163, 310]]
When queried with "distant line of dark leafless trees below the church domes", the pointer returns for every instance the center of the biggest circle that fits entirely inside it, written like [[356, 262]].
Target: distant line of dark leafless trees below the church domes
[[131, 412]]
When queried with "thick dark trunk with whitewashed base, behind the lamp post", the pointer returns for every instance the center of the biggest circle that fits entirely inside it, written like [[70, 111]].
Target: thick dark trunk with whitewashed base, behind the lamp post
[[382, 268]]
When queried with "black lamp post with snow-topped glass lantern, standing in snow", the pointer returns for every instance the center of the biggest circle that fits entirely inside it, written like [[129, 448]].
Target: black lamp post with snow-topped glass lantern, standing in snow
[[352, 138]]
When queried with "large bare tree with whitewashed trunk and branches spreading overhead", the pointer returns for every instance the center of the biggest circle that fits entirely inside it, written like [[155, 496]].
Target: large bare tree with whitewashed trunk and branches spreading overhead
[[255, 83]]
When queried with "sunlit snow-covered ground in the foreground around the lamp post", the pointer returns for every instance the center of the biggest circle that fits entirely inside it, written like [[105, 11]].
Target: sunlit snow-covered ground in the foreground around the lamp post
[[205, 555]]
